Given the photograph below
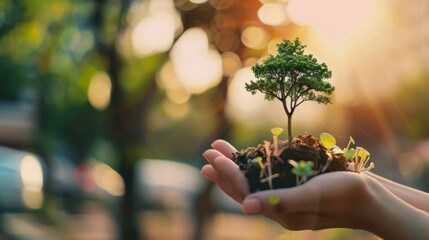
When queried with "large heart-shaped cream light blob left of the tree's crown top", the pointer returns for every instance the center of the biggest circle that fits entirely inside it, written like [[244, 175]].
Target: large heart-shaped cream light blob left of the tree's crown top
[[197, 66]]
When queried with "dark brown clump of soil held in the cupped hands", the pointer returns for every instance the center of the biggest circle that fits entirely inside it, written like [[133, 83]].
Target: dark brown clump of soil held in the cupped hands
[[303, 147]]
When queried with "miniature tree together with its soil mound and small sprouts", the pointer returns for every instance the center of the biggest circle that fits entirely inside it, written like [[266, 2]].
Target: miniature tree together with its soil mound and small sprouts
[[293, 78]]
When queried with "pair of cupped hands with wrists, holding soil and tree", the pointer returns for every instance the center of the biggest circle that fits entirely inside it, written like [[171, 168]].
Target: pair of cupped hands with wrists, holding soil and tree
[[332, 200]]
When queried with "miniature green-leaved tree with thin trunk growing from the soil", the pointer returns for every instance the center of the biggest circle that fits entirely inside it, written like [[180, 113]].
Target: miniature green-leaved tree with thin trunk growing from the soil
[[293, 78]]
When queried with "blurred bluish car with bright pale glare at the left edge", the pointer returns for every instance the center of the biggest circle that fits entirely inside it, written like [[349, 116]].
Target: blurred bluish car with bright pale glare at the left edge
[[21, 180]]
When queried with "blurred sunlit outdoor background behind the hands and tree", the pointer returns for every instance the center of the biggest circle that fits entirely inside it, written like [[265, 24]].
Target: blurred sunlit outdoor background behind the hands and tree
[[106, 107]]
